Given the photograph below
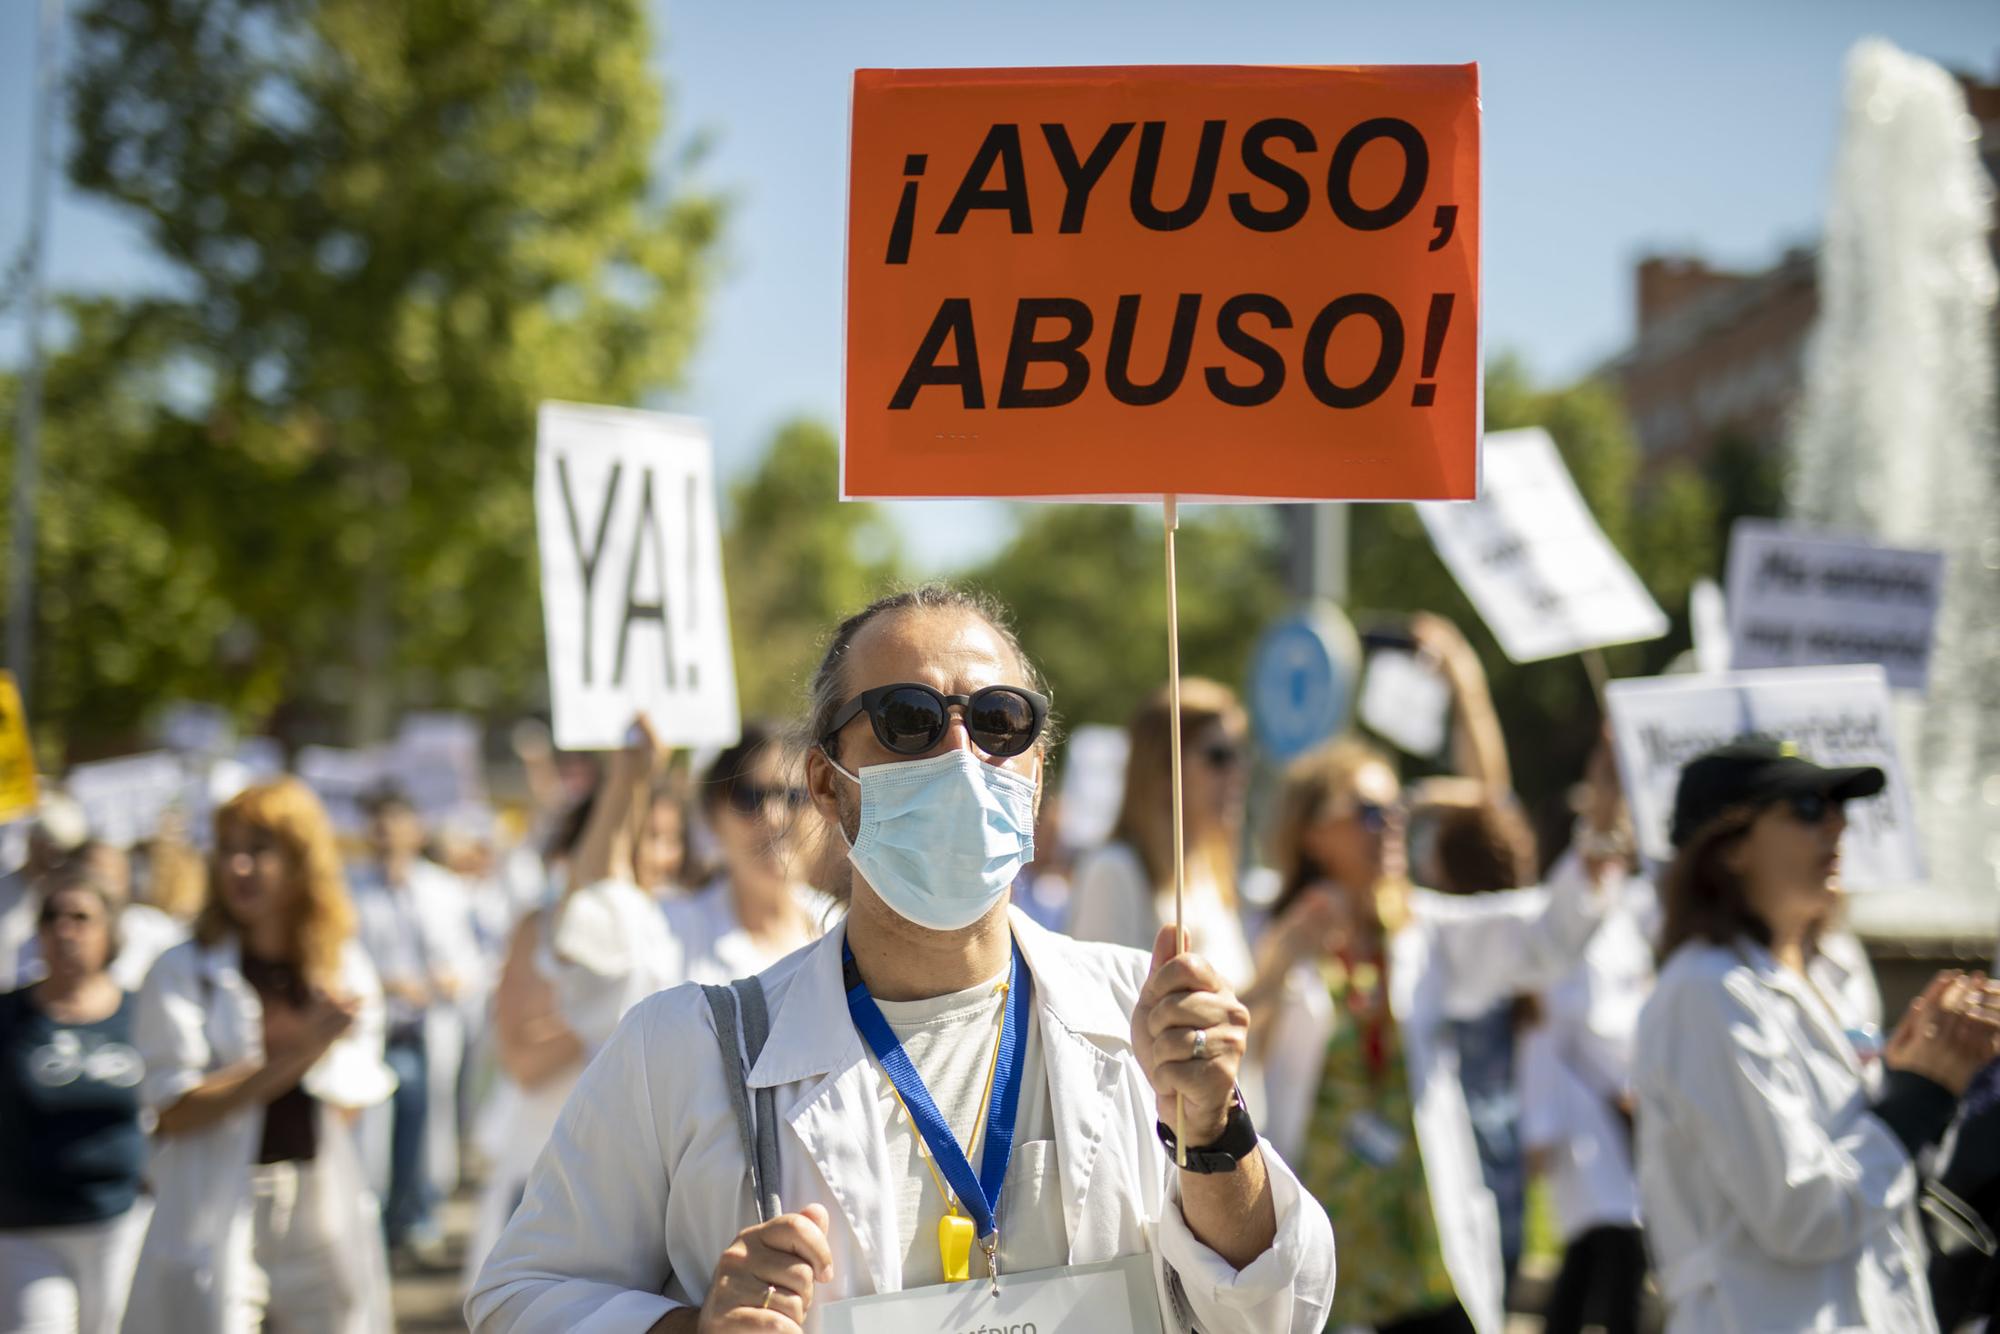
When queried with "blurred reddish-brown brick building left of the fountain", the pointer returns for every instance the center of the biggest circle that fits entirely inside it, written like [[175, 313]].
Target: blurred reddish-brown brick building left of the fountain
[[1721, 355]]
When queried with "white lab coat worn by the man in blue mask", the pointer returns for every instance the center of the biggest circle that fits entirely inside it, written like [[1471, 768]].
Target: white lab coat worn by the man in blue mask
[[645, 1183]]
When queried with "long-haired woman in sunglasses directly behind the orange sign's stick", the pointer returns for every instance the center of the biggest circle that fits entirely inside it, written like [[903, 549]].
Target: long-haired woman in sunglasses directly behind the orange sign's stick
[[1125, 891]]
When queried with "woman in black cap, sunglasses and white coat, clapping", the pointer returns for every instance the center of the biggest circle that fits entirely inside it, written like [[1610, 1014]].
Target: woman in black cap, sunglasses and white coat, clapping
[[1777, 1169]]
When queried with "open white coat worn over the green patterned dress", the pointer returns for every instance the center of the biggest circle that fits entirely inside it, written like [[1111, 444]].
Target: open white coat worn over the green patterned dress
[[1455, 959]]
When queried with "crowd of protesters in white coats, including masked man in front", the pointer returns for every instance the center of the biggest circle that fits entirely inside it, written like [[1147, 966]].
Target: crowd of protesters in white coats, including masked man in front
[[245, 1065]]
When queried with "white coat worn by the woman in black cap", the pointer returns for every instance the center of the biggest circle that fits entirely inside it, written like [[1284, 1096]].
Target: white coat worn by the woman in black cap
[[1775, 1199]]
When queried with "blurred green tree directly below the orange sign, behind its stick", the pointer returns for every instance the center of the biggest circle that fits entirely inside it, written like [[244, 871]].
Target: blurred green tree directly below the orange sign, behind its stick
[[1087, 587]]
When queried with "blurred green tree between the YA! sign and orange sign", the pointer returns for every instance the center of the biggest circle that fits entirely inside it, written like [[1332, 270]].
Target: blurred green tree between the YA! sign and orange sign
[[797, 561]]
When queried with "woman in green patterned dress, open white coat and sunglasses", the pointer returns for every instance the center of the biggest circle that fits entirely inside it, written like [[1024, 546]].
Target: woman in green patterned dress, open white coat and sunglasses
[[1361, 1069]]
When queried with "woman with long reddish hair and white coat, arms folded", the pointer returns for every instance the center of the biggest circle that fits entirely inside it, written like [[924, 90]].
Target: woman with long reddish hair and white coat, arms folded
[[263, 1037]]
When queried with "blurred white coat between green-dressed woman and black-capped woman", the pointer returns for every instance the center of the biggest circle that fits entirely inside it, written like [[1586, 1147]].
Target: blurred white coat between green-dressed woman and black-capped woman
[[1577, 1065]]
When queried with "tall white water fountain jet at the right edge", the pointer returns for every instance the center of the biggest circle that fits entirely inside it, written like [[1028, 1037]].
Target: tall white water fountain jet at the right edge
[[1897, 439]]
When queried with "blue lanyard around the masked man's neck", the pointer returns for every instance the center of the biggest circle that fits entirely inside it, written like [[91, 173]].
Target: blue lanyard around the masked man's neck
[[981, 1195]]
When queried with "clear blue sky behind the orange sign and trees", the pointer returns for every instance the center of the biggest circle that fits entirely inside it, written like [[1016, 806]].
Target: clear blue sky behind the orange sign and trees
[[1611, 129]]
